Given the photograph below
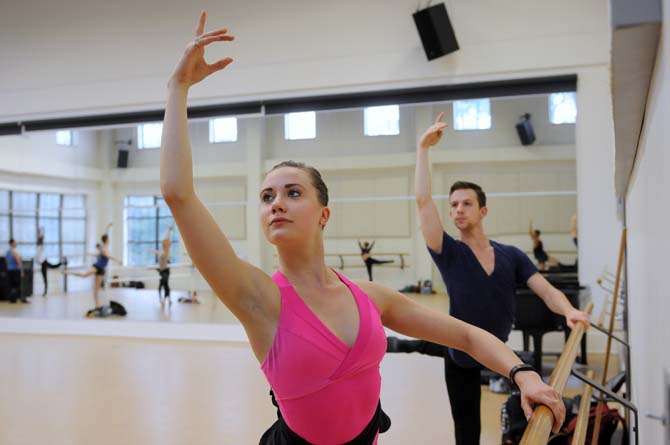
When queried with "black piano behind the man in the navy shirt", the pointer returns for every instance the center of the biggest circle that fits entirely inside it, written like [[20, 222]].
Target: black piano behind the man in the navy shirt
[[534, 319]]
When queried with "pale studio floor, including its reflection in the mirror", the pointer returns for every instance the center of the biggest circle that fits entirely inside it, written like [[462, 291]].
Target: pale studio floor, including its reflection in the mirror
[[77, 389]]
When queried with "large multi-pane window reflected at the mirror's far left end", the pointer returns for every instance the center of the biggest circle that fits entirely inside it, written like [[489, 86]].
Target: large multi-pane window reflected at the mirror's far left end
[[30, 210]]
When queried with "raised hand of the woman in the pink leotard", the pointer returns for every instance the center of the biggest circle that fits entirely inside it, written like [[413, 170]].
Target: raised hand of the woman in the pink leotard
[[192, 67]]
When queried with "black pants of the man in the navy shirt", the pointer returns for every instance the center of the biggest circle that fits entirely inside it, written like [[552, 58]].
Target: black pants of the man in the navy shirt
[[465, 393]]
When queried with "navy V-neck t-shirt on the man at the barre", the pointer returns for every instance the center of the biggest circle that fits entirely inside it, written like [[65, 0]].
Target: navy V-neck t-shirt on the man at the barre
[[486, 301]]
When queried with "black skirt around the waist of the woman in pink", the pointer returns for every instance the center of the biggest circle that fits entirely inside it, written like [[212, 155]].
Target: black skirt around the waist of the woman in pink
[[280, 433]]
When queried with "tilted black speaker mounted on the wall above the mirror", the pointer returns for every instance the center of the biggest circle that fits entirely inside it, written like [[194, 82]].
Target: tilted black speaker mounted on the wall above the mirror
[[435, 31]]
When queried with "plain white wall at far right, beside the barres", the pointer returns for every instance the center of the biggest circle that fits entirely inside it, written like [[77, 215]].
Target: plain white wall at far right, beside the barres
[[647, 215]]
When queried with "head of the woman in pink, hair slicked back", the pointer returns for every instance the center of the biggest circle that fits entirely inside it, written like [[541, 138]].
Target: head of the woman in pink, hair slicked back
[[290, 211]]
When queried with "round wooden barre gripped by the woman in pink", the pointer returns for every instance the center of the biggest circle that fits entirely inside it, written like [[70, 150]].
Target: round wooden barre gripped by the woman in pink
[[539, 427]]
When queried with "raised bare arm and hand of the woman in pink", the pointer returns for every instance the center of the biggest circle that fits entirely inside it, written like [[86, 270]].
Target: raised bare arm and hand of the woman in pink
[[244, 289]]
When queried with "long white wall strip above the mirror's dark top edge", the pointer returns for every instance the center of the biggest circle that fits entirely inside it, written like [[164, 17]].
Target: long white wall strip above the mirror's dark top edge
[[95, 57]]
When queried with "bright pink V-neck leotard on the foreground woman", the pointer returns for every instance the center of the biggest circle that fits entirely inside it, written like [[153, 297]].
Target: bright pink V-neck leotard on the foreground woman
[[327, 392]]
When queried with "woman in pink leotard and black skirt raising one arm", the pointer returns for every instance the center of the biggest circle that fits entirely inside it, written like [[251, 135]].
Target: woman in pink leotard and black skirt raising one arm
[[318, 336]]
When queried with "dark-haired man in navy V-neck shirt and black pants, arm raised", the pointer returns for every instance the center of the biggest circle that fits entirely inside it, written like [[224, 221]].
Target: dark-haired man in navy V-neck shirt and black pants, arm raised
[[481, 277]]
